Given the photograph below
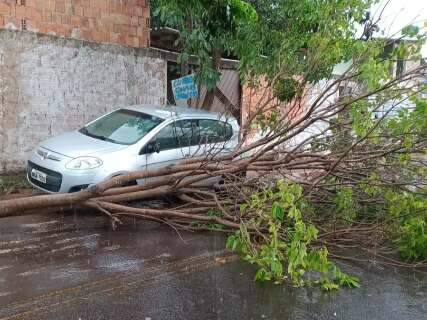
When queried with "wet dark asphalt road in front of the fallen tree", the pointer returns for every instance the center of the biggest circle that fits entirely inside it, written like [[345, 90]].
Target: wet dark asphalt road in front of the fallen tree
[[75, 267]]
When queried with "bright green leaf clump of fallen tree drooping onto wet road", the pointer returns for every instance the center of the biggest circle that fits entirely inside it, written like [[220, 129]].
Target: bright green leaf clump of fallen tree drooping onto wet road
[[288, 248]]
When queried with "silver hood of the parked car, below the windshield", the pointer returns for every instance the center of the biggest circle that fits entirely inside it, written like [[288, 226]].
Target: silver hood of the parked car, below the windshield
[[75, 144]]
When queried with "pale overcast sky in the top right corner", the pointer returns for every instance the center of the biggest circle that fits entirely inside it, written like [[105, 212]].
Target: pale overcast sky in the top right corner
[[400, 13]]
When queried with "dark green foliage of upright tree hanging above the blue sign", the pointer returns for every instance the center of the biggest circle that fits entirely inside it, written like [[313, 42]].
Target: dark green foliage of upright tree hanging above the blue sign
[[207, 28]]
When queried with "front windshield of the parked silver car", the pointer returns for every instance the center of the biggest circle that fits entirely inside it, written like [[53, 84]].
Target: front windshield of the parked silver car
[[122, 126]]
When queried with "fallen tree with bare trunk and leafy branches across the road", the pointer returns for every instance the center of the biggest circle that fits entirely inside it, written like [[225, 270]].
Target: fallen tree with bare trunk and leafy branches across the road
[[288, 203]]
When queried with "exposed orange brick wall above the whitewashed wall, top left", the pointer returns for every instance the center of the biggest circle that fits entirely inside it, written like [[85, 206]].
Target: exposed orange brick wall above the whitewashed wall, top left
[[123, 22]]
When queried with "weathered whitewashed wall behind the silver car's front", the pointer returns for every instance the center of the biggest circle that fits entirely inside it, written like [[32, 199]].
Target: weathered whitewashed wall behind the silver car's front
[[49, 85]]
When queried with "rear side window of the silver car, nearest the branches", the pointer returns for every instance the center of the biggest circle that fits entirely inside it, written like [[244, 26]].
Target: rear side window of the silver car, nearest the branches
[[212, 131]]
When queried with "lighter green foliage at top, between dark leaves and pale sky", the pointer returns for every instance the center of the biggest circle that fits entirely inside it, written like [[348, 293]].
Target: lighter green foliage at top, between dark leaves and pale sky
[[303, 38]]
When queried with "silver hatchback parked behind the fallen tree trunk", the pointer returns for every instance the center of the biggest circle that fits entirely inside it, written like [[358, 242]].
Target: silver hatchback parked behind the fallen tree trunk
[[125, 140]]
